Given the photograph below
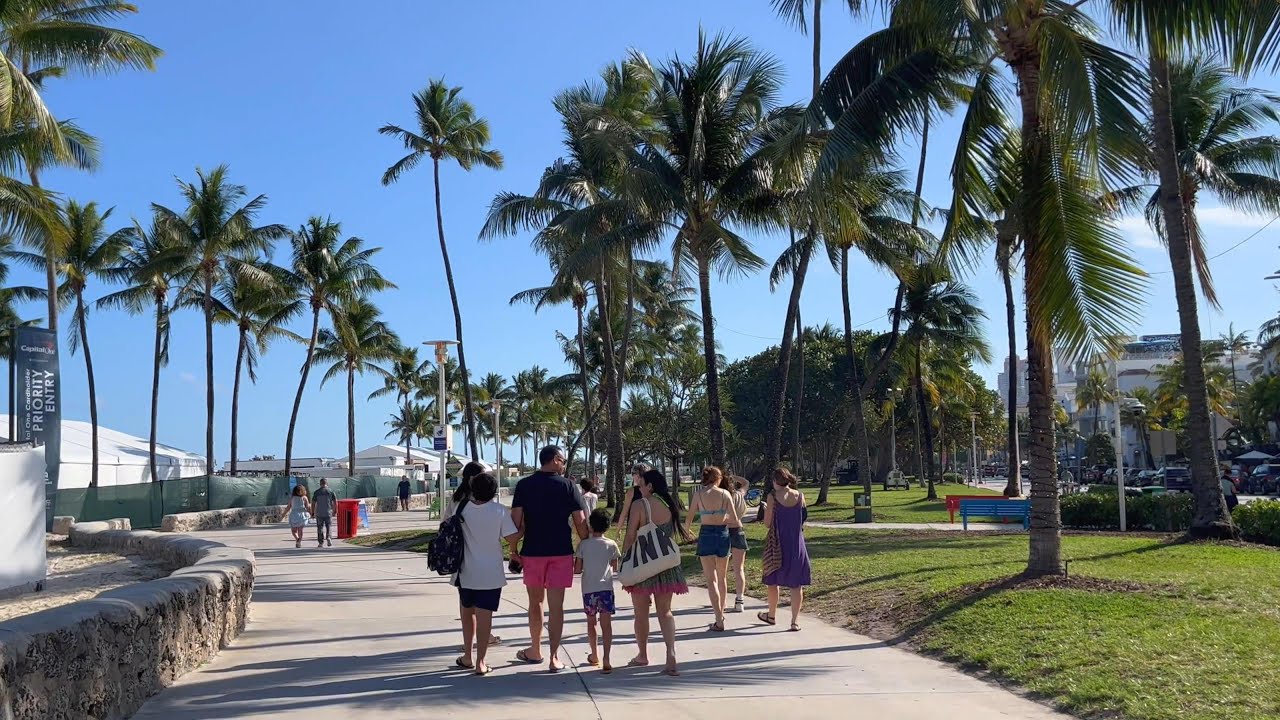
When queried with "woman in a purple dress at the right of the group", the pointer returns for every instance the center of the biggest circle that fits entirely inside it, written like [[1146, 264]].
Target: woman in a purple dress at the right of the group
[[784, 517]]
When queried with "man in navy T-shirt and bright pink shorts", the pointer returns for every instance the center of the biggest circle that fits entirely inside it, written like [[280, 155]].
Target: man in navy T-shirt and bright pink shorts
[[542, 508]]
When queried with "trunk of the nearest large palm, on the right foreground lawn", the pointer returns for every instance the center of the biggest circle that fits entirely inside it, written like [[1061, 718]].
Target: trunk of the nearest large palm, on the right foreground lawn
[[1045, 557]]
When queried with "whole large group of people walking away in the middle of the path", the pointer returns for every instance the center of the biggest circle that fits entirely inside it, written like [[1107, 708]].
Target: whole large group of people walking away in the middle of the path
[[548, 511]]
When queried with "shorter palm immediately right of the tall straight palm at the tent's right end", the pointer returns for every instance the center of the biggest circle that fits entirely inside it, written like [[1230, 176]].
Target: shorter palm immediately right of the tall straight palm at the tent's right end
[[259, 303]]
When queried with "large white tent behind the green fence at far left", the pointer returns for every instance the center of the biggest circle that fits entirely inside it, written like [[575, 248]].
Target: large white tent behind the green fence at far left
[[122, 459]]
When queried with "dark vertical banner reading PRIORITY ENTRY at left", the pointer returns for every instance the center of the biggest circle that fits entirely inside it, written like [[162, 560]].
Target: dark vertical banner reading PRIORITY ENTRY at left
[[36, 390]]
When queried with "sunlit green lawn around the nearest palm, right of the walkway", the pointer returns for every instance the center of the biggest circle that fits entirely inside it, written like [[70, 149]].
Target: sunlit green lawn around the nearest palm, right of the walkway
[[1146, 628]]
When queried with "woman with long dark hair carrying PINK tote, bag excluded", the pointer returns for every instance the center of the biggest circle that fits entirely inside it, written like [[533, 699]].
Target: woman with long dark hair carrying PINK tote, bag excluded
[[656, 505]]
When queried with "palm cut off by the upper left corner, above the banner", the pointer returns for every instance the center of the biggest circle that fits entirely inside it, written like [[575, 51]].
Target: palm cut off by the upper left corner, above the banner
[[43, 40]]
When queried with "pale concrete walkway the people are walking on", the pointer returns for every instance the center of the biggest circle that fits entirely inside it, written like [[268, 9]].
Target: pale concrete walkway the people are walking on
[[350, 632]]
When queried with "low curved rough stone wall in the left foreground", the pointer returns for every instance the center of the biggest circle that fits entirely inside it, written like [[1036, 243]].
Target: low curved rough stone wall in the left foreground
[[103, 658]]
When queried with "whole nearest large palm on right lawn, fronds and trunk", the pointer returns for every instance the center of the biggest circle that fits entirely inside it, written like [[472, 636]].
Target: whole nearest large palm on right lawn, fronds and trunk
[[1082, 289]]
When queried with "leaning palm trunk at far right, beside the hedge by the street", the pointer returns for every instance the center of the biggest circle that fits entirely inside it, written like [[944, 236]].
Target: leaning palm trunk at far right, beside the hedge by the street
[[1212, 518]]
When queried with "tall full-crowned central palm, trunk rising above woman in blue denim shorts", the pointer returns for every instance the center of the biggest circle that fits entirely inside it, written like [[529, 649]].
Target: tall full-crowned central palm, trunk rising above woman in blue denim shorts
[[702, 172]]
